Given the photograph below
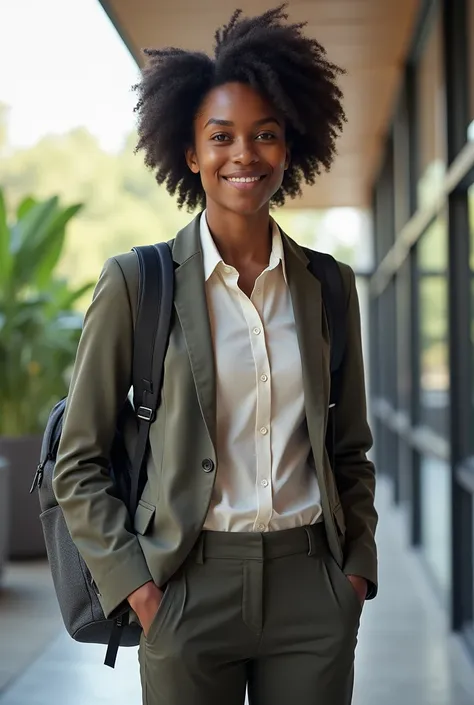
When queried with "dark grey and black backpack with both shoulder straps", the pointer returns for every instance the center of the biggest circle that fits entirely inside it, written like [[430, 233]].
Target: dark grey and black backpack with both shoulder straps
[[75, 589]]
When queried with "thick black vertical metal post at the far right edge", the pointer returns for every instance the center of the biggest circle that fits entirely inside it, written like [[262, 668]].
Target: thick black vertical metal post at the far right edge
[[457, 89]]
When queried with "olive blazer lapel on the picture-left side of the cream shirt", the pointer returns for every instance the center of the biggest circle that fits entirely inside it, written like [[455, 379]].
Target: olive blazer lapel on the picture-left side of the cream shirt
[[191, 308]]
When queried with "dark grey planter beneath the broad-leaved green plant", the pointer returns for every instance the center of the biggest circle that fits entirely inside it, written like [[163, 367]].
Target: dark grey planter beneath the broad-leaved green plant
[[26, 534]]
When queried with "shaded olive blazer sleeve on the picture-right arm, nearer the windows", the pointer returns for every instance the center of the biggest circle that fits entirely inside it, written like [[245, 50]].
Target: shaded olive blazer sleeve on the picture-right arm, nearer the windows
[[355, 474]]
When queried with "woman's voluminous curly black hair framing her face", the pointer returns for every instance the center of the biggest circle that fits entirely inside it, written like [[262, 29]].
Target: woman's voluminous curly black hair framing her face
[[274, 57]]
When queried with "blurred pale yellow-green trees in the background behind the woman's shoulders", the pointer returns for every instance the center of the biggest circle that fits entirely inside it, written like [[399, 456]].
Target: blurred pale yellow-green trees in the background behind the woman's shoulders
[[123, 204]]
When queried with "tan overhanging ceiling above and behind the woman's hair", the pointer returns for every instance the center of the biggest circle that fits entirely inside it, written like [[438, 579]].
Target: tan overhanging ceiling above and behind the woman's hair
[[369, 38]]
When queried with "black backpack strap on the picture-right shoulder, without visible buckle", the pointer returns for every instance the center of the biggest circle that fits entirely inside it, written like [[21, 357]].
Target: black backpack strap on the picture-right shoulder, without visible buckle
[[325, 268]]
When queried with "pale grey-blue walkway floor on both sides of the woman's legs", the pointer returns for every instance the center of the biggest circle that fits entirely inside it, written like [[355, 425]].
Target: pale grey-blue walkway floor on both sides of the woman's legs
[[405, 656]]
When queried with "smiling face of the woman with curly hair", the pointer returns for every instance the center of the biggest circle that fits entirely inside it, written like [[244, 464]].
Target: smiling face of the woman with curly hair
[[240, 149]]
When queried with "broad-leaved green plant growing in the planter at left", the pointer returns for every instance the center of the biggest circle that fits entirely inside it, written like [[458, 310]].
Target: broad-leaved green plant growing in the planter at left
[[39, 328]]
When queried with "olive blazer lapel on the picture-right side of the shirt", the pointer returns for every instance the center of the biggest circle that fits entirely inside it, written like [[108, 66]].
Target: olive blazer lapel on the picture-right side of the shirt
[[306, 297]]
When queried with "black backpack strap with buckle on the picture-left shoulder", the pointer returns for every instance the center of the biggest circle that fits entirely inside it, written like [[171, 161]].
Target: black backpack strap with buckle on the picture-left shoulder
[[155, 303]]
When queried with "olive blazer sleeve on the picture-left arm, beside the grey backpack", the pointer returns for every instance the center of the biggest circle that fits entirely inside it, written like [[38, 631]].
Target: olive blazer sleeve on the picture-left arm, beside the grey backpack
[[97, 521]]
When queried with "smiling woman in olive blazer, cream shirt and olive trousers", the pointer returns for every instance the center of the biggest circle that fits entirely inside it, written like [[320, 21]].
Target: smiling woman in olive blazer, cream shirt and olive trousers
[[249, 559]]
